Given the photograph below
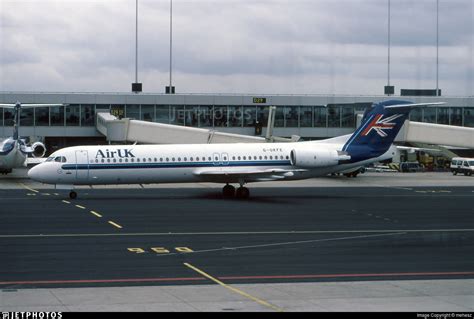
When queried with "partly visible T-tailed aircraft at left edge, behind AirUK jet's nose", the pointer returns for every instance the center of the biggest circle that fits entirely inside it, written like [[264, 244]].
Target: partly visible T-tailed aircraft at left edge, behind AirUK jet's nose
[[13, 150]]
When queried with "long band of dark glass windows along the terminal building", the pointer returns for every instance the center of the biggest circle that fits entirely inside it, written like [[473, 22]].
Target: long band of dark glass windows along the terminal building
[[208, 116]]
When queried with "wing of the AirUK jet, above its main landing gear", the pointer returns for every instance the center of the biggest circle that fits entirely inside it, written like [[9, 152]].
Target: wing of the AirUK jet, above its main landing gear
[[234, 174]]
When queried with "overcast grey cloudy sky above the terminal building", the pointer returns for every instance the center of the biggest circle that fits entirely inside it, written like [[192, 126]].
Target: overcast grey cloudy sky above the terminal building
[[236, 46]]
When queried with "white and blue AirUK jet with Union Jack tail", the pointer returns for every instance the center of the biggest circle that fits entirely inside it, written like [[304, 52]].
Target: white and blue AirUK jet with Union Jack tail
[[228, 163]]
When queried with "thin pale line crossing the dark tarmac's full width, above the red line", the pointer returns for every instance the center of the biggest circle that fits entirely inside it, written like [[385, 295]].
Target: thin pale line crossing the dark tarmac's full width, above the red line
[[304, 232]]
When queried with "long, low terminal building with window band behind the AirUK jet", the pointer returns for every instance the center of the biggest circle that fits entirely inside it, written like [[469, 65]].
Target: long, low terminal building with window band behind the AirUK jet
[[308, 116]]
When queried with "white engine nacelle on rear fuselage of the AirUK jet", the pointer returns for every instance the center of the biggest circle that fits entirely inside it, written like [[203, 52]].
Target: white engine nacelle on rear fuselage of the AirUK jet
[[318, 157]]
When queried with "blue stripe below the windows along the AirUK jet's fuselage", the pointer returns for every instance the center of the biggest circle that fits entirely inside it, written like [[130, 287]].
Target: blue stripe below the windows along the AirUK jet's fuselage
[[170, 165]]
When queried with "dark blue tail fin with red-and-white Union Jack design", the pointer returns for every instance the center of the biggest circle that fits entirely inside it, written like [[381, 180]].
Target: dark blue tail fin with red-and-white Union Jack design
[[380, 125]]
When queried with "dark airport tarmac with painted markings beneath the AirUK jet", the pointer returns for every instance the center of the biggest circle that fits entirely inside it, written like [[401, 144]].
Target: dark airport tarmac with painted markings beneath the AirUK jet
[[378, 242]]
